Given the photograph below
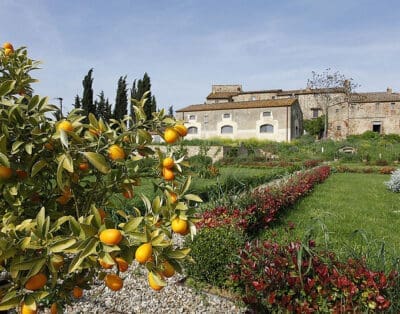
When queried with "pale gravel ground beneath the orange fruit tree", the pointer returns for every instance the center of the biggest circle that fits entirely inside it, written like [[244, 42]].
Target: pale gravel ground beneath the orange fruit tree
[[137, 297]]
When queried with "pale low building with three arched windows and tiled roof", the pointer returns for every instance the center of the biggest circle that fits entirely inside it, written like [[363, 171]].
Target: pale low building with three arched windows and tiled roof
[[278, 120]]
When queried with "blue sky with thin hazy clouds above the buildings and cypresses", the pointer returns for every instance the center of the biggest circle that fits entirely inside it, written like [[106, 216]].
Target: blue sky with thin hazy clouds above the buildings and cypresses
[[188, 45]]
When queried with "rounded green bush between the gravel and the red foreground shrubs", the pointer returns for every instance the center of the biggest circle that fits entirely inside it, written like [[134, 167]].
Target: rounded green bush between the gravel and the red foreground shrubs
[[213, 250]]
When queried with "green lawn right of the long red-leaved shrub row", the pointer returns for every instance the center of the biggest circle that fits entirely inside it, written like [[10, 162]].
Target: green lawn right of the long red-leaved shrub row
[[353, 214]]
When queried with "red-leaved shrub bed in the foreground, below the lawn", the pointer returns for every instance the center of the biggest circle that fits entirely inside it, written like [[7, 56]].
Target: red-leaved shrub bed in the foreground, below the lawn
[[272, 277]]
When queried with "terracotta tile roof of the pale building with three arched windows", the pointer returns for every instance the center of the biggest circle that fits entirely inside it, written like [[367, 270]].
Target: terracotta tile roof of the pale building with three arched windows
[[284, 102]]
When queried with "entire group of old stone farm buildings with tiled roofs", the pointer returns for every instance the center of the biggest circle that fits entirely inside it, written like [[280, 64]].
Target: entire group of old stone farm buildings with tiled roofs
[[278, 114]]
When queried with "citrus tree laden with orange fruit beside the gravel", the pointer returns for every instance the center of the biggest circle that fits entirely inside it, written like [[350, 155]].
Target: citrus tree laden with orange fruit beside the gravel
[[57, 183]]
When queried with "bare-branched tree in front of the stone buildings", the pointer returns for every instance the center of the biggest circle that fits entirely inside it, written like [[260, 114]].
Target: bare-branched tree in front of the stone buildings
[[330, 88]]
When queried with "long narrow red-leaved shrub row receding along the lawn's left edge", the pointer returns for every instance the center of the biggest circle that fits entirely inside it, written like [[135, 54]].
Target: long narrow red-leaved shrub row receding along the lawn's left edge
[[265, 202]]
